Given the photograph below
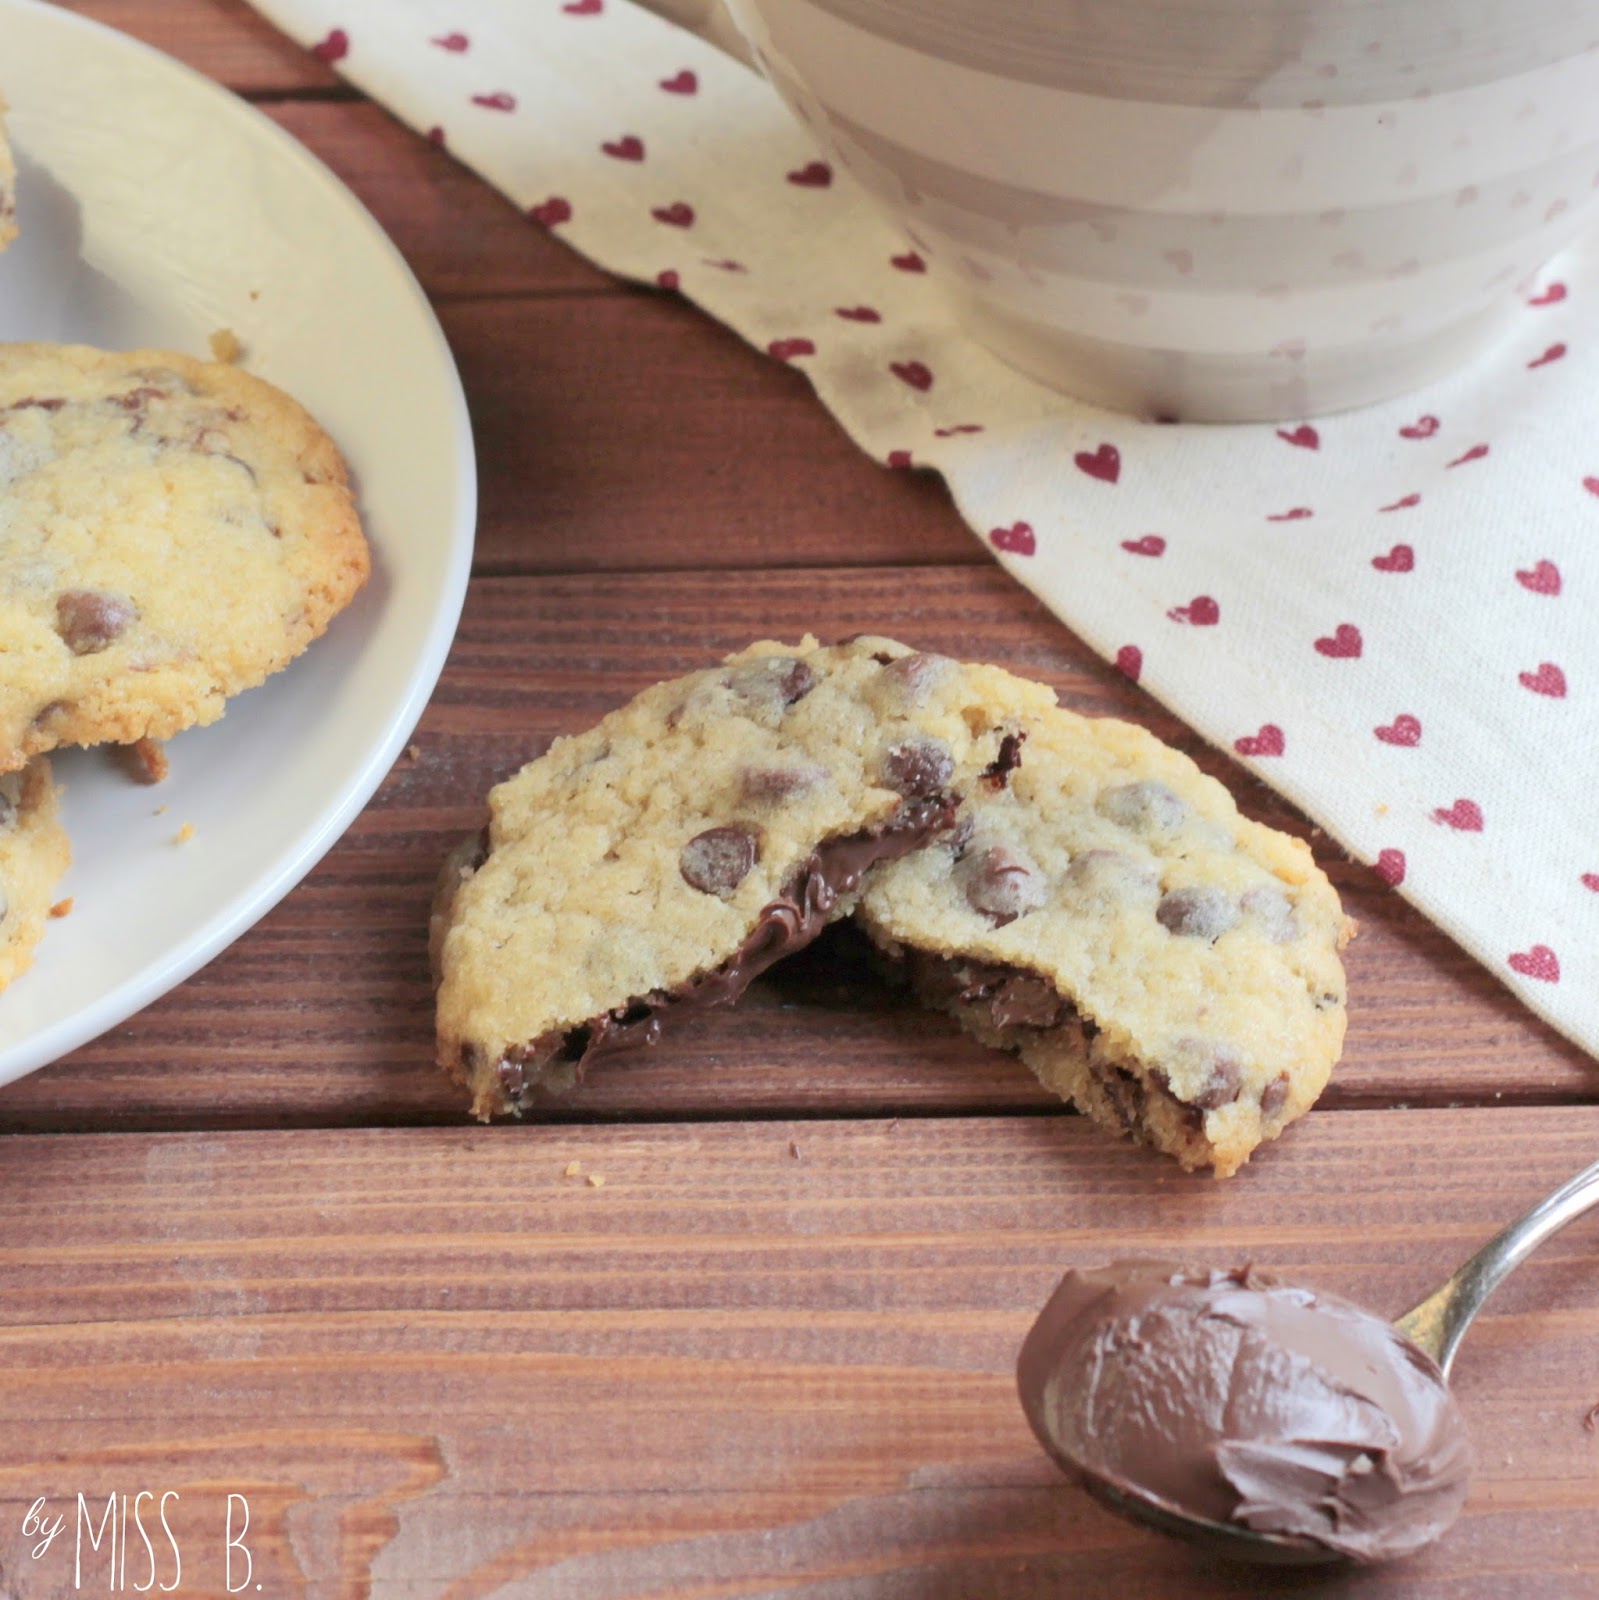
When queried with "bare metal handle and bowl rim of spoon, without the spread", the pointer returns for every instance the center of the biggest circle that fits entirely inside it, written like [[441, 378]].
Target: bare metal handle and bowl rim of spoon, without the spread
[[1437, 1326]]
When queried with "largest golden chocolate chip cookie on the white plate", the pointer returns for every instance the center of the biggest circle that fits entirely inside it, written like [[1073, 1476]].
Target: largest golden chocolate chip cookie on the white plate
[[174, 534]]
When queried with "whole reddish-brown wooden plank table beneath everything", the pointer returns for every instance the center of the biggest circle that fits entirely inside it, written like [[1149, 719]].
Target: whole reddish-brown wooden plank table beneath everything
[[252, 1247]]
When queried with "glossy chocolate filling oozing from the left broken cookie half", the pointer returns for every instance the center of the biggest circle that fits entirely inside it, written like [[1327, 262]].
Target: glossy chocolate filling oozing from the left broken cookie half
[[783, 927]]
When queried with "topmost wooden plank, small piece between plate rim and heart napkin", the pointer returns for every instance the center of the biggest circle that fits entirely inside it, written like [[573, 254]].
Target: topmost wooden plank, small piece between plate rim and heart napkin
[[225, 39]]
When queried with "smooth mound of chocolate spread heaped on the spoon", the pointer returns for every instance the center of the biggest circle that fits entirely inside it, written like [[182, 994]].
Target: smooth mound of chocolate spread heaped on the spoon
[[1246, 1402]]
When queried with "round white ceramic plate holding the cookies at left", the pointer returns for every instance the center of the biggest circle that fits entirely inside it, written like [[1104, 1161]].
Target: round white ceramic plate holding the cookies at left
[[154, 210]]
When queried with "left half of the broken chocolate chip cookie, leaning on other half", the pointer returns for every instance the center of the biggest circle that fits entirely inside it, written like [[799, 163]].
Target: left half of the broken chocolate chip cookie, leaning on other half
[[663, 858]]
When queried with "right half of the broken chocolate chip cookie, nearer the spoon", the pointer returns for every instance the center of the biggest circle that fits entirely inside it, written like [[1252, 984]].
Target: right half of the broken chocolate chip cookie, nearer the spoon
[[1160, 961]]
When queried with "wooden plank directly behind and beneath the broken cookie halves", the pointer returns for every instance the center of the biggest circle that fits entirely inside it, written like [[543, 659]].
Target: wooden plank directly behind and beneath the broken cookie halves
[[324, 1015]]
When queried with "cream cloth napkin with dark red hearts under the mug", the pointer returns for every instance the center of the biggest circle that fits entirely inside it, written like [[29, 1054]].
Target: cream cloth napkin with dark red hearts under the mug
[[1390, 617]]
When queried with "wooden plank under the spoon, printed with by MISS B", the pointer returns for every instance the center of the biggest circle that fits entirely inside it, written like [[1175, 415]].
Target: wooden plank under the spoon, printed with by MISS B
[[433, 1362]]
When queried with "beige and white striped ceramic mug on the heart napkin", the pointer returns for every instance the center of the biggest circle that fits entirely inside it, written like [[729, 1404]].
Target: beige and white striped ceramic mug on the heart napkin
[[1228, 210]]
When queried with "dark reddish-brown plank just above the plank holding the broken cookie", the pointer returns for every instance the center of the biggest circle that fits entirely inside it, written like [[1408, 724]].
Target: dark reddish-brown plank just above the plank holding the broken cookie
[[631, 433]]
